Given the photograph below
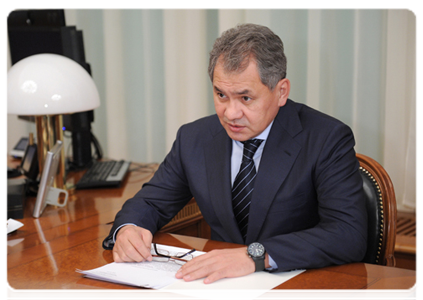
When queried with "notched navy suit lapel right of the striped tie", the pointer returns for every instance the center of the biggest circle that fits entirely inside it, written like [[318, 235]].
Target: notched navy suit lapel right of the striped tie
[[279, 155]]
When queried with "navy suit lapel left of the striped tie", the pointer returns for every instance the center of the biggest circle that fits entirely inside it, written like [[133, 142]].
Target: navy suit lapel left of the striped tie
[[218, 165]]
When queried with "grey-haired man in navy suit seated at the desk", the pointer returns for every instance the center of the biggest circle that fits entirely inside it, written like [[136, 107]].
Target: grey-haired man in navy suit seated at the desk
[[302, 202]]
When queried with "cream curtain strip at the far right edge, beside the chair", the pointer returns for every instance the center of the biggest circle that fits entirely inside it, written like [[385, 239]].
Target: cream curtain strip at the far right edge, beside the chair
[[401, 144]]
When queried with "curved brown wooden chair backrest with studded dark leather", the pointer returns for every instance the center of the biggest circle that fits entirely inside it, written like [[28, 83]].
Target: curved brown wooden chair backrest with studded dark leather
[[382, 212]]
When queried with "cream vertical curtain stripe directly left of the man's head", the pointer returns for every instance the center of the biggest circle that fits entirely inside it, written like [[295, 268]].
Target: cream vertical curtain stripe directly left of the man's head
[[185, 68]]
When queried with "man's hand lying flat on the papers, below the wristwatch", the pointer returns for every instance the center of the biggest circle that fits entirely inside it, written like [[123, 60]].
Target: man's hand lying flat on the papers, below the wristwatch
[[218, 264]]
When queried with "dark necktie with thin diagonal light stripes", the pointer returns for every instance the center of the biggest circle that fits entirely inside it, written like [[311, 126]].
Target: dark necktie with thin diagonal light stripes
[[243, 186]]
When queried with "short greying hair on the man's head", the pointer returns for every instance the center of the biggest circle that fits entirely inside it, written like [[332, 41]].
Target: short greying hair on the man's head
[[237, 45]]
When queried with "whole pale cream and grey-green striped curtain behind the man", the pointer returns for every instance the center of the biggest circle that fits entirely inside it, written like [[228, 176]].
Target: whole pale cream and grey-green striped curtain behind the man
[[358, 65]]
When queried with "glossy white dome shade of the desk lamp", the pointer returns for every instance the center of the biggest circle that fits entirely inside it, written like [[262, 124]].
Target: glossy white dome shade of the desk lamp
[[49, 84]]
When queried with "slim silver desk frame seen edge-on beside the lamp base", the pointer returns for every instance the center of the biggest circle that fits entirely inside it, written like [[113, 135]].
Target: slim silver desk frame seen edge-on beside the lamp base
[[47, 193]]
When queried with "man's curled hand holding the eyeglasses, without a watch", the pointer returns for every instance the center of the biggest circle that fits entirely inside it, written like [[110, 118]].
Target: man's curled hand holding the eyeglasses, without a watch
[[132, 244]]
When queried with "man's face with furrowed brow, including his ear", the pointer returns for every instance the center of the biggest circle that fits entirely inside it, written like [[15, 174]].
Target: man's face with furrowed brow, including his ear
[[244, 105]]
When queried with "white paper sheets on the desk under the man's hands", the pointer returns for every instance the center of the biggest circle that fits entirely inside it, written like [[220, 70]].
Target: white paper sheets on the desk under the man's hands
[[161, 276]]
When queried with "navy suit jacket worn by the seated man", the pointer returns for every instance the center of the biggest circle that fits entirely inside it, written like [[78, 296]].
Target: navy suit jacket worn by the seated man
[[307, 209]]
